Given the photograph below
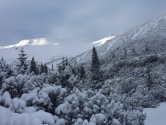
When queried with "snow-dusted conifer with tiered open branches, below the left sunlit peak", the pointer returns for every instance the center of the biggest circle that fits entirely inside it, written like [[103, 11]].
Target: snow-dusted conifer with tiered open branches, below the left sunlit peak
[[22, 61]]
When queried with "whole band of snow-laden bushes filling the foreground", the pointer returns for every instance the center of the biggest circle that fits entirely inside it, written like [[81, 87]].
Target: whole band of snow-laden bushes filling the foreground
[[53, 105]]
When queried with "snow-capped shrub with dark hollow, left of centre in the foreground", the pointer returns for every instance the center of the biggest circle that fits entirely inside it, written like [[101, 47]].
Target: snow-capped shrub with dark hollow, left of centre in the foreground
[[47, 98]]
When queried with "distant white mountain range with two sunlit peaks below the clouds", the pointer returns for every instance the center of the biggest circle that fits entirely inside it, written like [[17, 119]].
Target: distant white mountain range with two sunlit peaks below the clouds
[[45, 51]]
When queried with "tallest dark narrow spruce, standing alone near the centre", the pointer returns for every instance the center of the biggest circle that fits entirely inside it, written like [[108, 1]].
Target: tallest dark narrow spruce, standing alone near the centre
[[95, 69]]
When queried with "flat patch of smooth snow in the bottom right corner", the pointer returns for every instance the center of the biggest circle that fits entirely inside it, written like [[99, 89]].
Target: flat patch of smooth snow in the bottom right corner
[[156, 116]]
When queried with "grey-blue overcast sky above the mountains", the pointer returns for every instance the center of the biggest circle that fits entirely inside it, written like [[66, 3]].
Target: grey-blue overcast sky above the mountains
[[72, 20]]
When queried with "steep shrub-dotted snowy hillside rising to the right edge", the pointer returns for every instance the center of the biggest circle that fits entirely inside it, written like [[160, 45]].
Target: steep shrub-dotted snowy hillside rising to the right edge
[[134, 64]]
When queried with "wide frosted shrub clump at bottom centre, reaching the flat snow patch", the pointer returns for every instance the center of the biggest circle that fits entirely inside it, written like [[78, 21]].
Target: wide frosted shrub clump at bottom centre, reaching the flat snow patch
[[97, 108]]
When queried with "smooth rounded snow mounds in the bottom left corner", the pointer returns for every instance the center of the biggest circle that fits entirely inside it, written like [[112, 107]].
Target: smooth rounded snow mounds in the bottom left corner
[[7, 117]]
